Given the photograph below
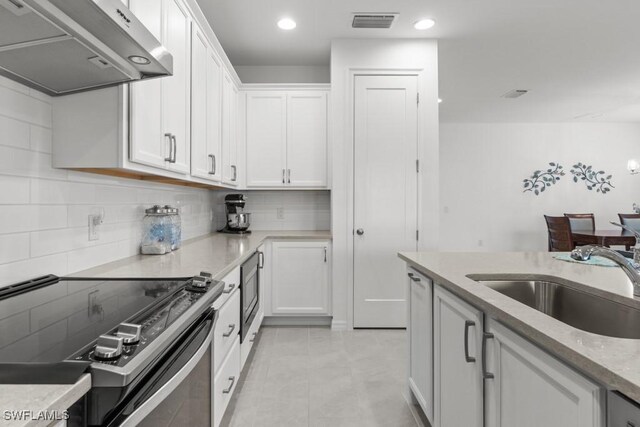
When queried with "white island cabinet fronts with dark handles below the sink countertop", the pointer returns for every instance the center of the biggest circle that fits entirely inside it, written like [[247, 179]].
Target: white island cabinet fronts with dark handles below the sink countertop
[[486, 375]]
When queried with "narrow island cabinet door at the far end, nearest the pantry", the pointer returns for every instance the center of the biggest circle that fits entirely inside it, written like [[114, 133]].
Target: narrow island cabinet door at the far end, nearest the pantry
[[421, 340]]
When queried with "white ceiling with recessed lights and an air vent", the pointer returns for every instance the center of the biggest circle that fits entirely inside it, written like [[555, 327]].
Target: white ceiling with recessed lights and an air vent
[[580, 59]]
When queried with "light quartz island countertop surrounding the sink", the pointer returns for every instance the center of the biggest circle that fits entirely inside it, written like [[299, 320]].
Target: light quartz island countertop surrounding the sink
[[613, 362]]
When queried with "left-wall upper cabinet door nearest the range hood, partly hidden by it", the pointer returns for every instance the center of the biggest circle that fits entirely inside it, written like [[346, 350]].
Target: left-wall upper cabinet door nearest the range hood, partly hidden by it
[[148, 145]]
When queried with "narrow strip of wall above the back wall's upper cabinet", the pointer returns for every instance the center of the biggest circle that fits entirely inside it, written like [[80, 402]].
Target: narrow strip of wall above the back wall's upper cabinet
[[283, 74]]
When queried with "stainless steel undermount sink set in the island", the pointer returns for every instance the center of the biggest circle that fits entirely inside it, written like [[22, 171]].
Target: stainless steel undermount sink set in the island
[[574, 307]]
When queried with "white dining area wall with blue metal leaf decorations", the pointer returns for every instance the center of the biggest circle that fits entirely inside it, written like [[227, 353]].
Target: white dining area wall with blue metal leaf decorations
[[483, 165]]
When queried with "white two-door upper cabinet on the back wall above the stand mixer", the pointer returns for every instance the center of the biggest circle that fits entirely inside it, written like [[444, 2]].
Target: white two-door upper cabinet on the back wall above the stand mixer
[[286, 134]]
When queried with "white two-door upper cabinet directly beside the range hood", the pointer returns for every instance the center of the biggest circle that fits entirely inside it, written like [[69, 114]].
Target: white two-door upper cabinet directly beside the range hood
[[160, 110]]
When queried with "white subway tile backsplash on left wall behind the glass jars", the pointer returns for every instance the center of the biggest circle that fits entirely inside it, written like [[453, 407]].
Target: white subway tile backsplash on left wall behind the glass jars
[[44, 211]]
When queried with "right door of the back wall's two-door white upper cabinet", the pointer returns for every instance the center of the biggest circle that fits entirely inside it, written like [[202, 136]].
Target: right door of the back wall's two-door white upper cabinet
[[307, 139]]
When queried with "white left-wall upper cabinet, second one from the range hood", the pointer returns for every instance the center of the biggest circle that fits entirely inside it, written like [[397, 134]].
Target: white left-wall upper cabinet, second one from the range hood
[[206, 113]]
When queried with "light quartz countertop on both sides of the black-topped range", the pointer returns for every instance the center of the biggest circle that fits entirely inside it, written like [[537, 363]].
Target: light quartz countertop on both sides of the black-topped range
[[216, 253]]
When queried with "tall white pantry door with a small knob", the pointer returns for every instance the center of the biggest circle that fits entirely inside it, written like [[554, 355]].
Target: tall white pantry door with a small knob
[[385, 196]]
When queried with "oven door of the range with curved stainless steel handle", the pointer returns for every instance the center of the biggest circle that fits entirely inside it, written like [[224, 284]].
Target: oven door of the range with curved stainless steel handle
[[177, 392]]
